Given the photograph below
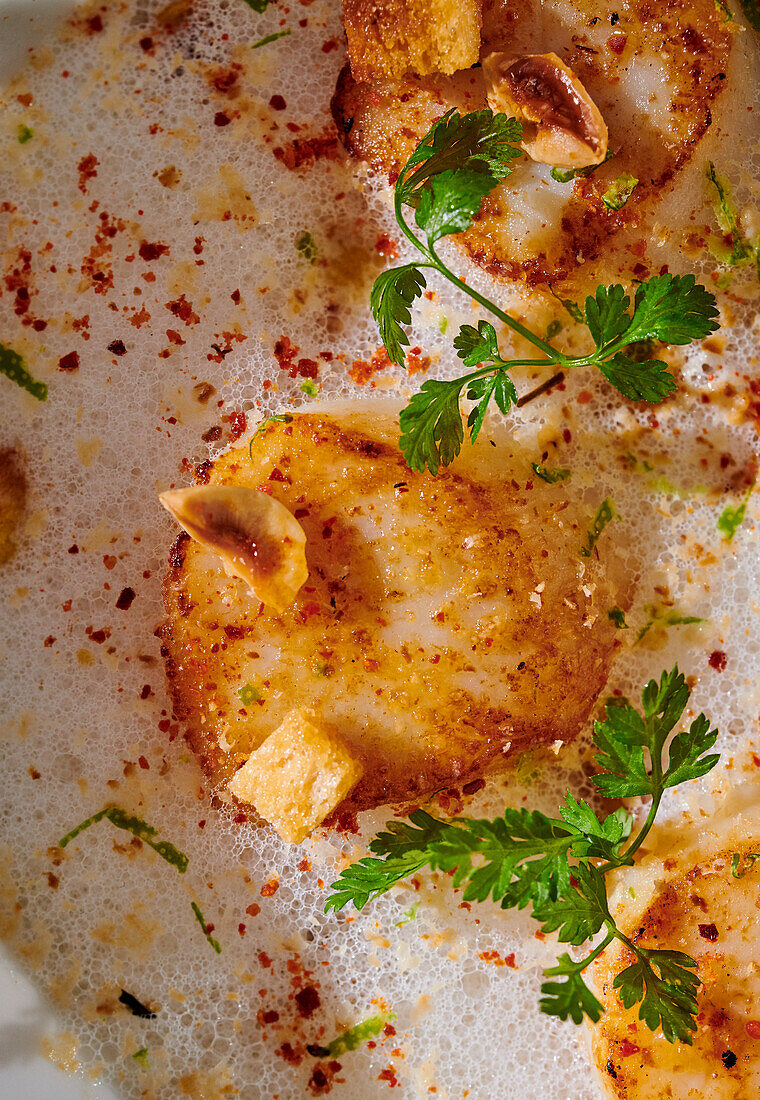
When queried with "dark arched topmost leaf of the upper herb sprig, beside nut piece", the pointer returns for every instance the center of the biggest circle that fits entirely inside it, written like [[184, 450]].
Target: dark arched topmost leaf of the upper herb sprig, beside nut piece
[[481, 141]]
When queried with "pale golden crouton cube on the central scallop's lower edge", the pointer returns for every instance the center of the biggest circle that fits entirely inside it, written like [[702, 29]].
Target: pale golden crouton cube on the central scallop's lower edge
[[299, 776]]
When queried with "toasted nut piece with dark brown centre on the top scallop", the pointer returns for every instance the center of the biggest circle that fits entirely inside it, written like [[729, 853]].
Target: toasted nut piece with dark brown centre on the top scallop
[[561, 124]]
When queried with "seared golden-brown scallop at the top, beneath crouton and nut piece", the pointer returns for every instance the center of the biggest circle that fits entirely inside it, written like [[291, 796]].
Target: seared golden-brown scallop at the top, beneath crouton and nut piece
[[653, 70]]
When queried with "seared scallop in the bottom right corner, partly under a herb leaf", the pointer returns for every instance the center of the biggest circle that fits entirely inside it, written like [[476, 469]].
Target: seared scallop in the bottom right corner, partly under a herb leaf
[[699, 893]]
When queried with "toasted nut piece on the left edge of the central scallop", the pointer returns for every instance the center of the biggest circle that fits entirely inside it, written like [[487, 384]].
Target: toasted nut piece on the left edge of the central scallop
[[256, 537]]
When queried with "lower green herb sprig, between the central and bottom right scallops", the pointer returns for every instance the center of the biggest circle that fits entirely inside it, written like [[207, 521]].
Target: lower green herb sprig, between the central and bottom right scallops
[[558, 865]]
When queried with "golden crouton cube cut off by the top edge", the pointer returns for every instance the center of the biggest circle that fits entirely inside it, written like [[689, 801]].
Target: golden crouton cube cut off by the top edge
[[392, 38]]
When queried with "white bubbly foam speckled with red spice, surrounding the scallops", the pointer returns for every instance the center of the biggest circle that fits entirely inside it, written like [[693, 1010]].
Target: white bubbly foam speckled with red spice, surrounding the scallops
[[157, 230]]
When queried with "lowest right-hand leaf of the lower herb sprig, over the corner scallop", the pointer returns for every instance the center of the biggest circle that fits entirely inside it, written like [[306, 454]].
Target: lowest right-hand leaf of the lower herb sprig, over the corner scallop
[[668, 998]]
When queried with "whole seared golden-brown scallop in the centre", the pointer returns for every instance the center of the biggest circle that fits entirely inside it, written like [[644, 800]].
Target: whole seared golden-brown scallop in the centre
[[446, 622]]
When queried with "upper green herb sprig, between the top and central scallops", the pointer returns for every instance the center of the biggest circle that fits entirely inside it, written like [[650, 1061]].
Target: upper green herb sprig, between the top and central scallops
[[460, 161]]
